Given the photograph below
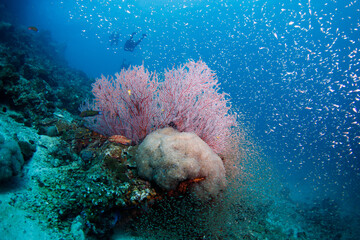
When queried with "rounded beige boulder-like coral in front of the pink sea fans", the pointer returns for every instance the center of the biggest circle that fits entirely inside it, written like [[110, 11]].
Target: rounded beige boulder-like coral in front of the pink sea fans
[[169, 157]]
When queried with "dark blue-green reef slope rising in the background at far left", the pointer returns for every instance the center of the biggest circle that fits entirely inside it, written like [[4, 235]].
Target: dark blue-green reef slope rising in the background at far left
[[33, 70]]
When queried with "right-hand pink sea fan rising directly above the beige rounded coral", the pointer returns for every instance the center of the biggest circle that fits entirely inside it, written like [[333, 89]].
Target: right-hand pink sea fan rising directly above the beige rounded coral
[[190, 99]]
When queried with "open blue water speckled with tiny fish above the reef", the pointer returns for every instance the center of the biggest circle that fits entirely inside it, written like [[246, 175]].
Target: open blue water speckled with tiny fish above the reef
[[291, 69]]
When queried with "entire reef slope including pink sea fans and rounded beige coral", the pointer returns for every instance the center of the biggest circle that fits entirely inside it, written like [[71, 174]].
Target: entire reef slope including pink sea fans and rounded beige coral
[[75, 183]]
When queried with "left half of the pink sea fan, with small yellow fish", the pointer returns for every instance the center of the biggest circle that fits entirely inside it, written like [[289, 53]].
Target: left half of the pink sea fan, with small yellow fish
[[126, 104]]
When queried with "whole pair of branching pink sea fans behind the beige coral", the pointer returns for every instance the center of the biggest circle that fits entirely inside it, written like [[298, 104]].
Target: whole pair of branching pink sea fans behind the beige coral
[[135, 103]]
